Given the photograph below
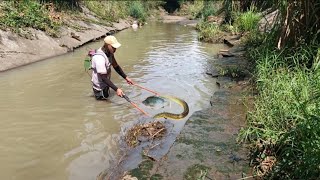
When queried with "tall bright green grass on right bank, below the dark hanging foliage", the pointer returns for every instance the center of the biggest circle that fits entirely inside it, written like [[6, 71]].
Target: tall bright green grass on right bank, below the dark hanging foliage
[[286, 115]]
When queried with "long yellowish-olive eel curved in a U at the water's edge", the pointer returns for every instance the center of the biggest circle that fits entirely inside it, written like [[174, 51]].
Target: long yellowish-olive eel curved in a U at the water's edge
[[172, 115]]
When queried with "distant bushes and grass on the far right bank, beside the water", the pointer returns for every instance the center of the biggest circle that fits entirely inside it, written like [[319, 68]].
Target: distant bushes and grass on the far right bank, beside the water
[[214, 30]]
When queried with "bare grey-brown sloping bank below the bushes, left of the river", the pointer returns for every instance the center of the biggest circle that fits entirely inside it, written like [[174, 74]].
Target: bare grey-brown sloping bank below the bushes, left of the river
[[34, 45]]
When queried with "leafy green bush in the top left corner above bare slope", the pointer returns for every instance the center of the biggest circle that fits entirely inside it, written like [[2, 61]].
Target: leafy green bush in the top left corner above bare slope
[[18, 15]]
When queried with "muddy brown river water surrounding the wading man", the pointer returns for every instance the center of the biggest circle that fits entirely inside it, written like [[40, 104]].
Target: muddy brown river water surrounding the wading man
[[51, 126]]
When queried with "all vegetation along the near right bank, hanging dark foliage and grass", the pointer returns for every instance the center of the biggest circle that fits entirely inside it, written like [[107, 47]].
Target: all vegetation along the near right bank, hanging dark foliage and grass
[[284, 123]]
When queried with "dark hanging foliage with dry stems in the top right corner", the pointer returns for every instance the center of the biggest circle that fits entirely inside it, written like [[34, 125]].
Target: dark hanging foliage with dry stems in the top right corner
[[298, 23]]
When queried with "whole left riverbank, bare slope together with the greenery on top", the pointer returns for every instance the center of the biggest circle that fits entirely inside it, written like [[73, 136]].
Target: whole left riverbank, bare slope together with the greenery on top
[[31, 31]]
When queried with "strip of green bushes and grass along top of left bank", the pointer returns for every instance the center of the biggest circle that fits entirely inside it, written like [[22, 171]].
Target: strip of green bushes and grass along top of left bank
[[48, 15]]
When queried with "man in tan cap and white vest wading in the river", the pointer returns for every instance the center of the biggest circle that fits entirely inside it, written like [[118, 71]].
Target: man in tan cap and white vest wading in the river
[[101, 69]]
